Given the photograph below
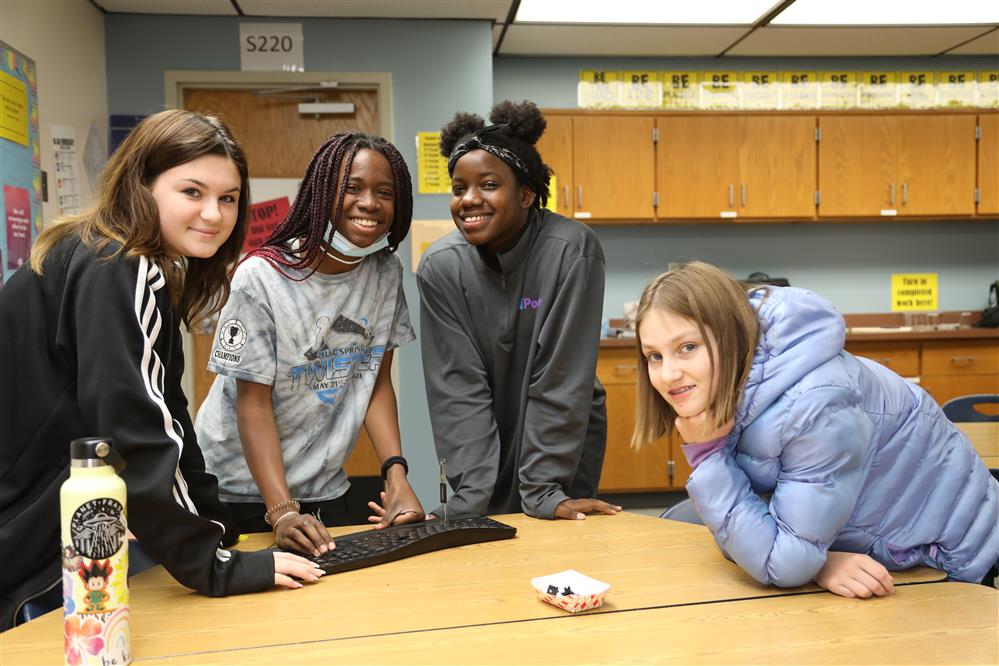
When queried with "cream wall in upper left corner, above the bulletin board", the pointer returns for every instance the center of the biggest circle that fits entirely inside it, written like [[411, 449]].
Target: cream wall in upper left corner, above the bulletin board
[[65, 38]]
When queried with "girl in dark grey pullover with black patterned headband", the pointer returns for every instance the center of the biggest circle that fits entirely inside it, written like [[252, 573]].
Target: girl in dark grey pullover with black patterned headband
[[510, 310]]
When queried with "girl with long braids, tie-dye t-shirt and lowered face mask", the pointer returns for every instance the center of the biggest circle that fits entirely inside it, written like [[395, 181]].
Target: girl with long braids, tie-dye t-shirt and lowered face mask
[[304, 349]]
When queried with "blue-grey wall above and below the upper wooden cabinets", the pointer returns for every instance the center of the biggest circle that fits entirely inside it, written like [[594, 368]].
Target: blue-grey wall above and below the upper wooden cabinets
[[850, 264]]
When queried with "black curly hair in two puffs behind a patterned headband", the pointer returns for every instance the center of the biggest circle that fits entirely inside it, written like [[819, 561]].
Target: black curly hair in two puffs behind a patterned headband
[[517, 128]]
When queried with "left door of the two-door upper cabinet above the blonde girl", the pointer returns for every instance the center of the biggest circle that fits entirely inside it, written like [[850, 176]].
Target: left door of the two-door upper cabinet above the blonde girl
[[697, 159]]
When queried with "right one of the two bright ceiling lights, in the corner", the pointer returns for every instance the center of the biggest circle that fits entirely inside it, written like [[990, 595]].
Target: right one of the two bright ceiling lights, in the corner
[[889, 12]]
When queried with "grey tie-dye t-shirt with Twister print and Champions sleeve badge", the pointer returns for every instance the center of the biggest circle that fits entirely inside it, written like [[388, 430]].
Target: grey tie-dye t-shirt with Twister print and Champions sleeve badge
[[319, 343]]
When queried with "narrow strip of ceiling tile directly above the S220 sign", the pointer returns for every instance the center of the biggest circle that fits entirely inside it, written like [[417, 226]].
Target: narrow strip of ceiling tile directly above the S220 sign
[[495, 10]]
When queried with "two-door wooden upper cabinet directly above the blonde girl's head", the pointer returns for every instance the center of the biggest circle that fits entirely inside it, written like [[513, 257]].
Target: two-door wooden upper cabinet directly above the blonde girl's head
[[758, 166]]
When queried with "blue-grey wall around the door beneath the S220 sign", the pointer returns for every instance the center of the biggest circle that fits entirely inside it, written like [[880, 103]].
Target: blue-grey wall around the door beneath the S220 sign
[[437, 67]]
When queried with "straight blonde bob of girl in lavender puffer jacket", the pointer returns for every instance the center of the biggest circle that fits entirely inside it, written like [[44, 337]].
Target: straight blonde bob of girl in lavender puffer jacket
[[716, 302]]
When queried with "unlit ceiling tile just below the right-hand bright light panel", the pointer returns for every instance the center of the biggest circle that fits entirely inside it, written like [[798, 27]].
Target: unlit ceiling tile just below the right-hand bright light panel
[[852, 41]]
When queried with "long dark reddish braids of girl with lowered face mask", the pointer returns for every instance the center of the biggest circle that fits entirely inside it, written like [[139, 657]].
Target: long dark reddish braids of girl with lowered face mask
[[307, 219]]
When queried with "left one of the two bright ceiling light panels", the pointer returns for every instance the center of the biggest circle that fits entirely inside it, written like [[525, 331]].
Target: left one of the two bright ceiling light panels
[[640, 12]]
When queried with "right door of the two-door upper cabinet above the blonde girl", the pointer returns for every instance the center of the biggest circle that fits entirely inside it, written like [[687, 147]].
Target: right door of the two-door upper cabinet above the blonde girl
[[776, 166]]
